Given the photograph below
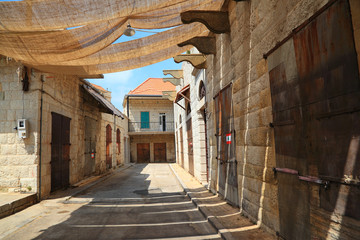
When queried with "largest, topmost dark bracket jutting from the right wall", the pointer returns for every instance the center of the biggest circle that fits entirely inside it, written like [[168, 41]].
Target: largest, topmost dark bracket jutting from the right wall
[[216, 21]]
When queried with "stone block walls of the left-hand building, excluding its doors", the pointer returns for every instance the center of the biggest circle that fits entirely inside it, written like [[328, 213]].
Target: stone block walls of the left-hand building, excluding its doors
[[64, 95]]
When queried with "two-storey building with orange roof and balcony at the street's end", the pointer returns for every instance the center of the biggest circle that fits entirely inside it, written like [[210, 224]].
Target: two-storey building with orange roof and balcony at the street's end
[[151, 122]]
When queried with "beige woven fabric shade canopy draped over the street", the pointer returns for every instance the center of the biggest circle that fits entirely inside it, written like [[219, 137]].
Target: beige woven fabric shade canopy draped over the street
[[76, 36]]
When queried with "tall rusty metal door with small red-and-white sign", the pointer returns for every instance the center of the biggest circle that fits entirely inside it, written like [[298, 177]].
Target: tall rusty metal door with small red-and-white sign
[[227, 164]]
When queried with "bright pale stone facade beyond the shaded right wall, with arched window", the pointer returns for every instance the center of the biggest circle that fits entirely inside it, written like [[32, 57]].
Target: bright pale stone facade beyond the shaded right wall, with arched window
[[190, 122]]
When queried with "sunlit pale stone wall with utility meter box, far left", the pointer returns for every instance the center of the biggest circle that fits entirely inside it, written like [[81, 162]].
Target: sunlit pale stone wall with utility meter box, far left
[[18, 157]]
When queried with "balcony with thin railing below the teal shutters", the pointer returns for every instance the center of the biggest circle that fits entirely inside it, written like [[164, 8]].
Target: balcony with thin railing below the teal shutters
[[151, 127]]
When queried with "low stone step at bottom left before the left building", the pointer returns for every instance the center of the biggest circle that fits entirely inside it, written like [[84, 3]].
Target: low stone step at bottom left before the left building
[[17, 205]]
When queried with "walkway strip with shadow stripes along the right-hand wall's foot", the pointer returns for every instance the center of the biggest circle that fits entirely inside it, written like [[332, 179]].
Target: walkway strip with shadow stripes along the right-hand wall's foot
[[227, 219]]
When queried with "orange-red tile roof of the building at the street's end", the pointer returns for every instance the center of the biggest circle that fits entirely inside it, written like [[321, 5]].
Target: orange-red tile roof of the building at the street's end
[[153, 86]]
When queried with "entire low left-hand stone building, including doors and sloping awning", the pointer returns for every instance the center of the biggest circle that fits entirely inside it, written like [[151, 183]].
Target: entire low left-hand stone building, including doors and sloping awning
[[66, 120]]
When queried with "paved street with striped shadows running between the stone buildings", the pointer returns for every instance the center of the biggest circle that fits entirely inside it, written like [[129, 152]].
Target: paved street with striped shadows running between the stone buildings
[[141, 202]]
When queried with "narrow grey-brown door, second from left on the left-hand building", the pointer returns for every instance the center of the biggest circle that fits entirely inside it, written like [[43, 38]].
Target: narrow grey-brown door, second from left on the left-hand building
[[90, 146]]
